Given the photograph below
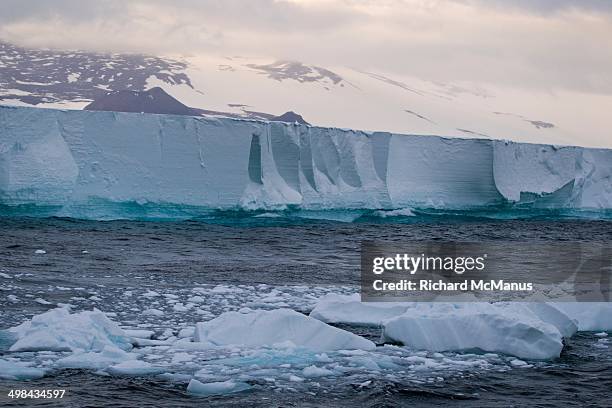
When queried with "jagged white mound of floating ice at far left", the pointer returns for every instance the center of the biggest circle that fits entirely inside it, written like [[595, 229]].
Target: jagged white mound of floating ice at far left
[[58, 330]]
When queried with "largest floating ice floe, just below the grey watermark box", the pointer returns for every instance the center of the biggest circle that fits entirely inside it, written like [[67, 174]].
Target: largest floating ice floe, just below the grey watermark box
[[530, 330]]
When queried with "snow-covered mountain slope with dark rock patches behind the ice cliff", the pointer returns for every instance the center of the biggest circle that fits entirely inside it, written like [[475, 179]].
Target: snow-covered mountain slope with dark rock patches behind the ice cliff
[[343, 97]]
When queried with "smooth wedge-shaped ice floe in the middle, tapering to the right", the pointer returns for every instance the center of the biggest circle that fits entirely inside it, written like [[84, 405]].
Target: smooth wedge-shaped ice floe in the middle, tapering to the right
[[269, 328]]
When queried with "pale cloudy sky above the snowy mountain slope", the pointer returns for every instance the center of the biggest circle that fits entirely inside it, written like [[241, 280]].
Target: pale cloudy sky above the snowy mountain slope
[[543, 44]]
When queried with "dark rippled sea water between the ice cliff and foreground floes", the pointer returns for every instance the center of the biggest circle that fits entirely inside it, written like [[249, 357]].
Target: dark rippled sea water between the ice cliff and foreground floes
[[271, 260]]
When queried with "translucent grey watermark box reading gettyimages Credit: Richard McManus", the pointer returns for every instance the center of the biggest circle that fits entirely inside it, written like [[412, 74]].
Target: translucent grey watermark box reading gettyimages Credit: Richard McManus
[[498, 271]]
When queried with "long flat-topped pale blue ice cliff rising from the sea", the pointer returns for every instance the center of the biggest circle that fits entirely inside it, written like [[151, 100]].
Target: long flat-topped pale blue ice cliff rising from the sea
[[66, 158]]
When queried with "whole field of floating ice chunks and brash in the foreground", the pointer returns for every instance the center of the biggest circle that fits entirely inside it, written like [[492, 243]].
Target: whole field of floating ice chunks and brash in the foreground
[[231, 338]]
